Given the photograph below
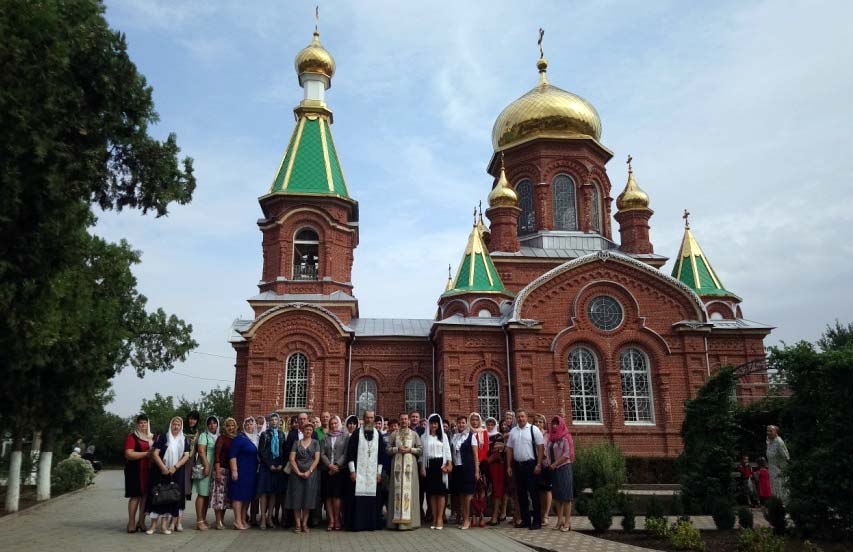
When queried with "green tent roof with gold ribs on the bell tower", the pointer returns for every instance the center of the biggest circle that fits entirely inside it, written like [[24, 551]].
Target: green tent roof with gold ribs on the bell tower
[[310, 164]]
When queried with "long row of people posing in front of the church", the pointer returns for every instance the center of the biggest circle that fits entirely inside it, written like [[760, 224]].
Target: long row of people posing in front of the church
[[367, 474]]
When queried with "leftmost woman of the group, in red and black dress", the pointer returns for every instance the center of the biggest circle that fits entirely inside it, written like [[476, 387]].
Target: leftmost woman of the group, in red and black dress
[[137, 452]]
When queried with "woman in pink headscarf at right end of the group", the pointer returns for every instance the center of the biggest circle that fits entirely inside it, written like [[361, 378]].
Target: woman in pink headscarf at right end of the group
[[559, 455]]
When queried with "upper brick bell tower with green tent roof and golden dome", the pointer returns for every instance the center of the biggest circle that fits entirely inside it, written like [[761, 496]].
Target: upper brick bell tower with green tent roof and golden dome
[[310, 223]]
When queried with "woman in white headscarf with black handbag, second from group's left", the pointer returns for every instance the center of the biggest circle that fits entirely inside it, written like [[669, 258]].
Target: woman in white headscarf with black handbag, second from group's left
[[170, 454]]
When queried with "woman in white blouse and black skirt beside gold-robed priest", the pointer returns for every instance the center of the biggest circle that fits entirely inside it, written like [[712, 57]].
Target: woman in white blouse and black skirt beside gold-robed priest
[[436, 464]]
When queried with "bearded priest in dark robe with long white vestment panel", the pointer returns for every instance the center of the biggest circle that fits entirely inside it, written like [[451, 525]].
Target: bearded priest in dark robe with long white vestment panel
[[365, 452]]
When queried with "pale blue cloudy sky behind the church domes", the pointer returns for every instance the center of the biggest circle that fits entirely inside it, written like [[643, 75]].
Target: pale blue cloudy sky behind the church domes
[[739, 111]]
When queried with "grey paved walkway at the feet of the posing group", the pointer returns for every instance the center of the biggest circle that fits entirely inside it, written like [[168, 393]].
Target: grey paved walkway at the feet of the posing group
[[93, 520]]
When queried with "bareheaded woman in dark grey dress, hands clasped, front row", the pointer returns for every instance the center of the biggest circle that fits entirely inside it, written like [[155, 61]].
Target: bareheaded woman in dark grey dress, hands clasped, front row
[[303, 485]]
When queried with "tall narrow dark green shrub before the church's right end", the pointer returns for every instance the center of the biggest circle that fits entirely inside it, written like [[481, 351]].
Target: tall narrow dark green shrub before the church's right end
[[710, 440]]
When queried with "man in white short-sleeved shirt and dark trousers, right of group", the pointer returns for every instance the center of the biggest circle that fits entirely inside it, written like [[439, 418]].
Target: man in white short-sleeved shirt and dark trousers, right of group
[[524, 451]]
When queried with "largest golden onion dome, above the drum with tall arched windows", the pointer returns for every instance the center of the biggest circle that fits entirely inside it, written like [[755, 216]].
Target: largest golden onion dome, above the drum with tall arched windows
[[548, 112]]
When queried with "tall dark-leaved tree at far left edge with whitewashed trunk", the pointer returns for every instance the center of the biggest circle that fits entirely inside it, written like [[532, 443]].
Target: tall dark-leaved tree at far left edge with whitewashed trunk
[[74, 132]]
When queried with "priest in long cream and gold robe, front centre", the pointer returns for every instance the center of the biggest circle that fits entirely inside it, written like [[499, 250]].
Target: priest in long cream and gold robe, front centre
[[404, 446]]
